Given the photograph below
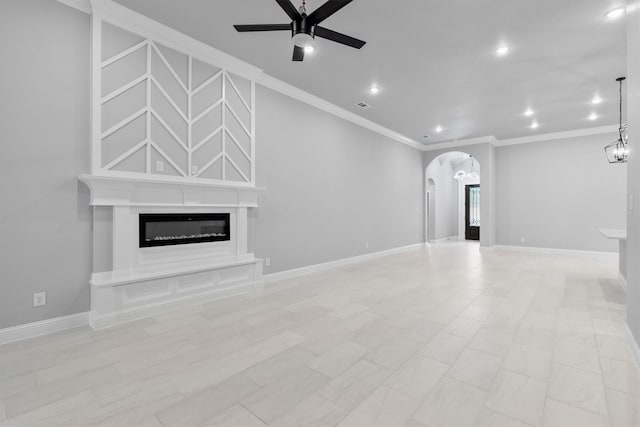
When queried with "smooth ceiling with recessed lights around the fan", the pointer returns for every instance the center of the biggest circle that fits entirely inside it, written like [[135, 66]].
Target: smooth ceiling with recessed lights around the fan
[[435, 60]]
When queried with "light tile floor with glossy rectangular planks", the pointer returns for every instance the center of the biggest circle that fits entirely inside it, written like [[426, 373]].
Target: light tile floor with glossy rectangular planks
[[441, 336]]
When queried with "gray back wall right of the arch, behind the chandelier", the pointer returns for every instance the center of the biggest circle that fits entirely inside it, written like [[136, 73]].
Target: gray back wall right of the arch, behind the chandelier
[[556, 194]]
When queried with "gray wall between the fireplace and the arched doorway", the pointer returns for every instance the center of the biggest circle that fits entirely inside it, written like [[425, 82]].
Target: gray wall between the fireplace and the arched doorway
[[332, 186]]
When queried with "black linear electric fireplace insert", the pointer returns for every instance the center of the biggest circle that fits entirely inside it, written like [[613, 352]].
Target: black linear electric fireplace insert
[[180, 229]]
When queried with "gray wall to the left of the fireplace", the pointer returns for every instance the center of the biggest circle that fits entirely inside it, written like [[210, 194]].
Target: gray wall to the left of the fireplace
[[45, 219]]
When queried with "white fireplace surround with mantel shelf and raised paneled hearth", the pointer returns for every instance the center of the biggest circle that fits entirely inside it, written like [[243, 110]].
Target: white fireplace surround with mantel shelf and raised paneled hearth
[[145, 281]]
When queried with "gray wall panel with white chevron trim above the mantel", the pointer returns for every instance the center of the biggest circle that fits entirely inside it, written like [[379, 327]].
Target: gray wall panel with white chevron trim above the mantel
[[163, 112]]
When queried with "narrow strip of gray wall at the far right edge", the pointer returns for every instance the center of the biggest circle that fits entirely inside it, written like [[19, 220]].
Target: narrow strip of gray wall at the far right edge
[[633, 169]]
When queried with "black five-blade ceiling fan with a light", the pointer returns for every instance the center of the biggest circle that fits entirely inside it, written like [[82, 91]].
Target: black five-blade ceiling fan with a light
[[304, 28]]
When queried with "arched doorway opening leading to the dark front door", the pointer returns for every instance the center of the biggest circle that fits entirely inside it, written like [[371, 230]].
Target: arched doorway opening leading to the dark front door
[[452, 199]]
